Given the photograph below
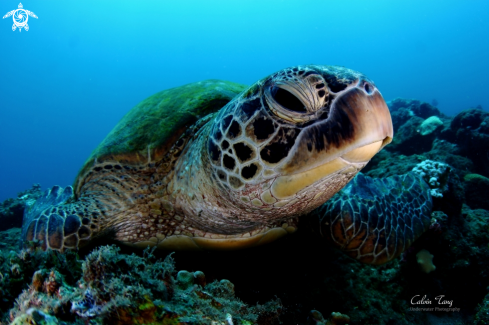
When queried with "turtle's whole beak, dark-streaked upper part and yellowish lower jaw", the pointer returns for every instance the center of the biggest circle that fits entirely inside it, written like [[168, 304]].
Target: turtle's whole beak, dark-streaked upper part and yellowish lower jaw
[[358, 126]]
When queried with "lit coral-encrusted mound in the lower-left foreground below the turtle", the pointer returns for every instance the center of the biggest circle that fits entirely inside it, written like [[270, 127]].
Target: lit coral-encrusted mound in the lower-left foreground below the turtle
[[114, 288]]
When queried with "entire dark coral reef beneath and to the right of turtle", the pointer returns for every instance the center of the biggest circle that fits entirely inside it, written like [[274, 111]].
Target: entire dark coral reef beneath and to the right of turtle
[[311, 278]]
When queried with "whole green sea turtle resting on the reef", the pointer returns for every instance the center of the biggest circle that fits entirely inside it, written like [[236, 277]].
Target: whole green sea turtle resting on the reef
[[217, 165]]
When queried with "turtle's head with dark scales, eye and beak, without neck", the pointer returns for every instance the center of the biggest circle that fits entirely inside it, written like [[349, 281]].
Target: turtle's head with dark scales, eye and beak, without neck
[[298, 136]]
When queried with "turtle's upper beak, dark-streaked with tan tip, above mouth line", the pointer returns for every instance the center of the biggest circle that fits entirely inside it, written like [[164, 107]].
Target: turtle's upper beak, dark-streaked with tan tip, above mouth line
[[356, 119]]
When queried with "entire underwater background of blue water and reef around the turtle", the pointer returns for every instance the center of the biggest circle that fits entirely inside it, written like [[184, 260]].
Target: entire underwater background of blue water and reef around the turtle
[[81, 66]]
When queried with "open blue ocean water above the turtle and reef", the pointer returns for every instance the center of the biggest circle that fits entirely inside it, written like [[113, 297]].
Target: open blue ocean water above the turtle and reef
[[83, 64]]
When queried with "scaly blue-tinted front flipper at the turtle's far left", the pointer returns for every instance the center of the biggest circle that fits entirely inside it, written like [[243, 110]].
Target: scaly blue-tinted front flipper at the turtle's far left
[[53, 222]]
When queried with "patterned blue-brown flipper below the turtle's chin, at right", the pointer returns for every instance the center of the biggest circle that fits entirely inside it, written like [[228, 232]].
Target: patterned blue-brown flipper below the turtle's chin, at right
[[375, 220]]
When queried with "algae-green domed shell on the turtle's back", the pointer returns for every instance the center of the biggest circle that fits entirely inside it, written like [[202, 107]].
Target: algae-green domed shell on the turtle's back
[[158, 121]]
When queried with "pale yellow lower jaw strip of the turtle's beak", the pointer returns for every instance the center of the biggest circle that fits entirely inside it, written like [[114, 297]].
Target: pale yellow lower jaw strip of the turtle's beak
[[351, 162]]
